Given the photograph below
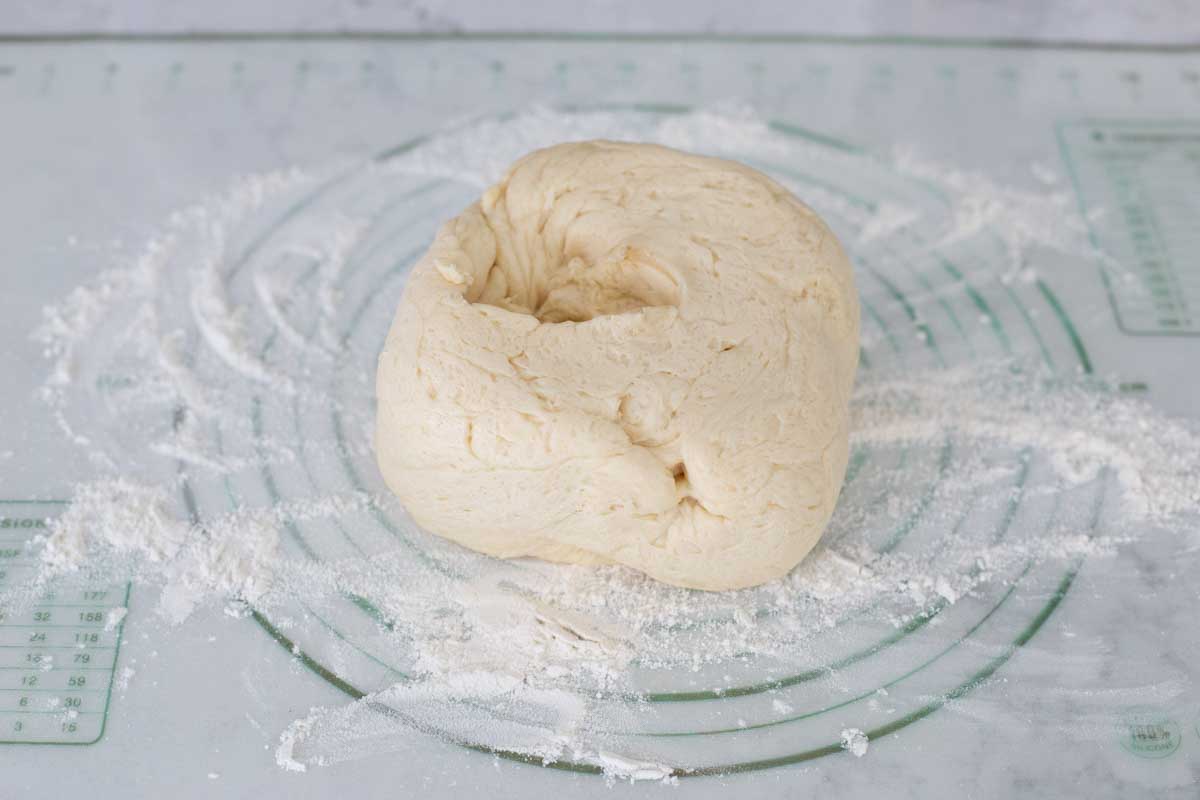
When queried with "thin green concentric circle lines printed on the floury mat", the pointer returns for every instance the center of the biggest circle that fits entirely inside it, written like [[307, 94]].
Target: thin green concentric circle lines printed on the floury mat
[[892, 292]]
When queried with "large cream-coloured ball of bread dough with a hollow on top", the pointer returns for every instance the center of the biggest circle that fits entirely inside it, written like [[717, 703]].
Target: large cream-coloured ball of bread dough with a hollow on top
[[626, 354]]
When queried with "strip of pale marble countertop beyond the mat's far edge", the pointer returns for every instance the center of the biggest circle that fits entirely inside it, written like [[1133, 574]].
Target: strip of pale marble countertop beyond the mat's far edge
[[1125, 21]]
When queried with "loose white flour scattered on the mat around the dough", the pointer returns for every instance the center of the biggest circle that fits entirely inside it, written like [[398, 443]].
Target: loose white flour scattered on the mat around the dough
[[158, 369]]
